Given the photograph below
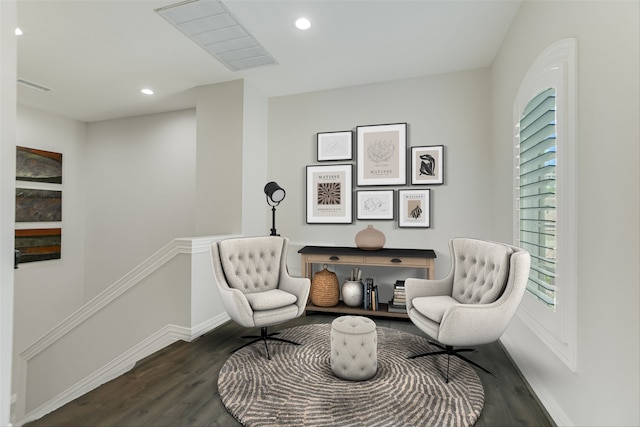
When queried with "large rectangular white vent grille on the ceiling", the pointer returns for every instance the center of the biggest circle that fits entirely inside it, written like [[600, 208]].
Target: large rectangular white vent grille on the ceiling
[[209, 24]]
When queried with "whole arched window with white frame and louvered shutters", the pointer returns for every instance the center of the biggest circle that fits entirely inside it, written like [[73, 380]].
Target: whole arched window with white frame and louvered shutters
[[545, 196]]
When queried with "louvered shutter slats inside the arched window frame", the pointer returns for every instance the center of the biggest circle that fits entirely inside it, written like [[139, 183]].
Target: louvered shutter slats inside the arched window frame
[[537, 193]]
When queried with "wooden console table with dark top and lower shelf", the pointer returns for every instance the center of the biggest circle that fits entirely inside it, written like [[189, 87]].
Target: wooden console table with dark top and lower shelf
[[385, 257]]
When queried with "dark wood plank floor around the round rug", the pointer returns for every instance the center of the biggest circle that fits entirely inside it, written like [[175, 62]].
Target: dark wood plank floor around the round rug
[[178, 386]]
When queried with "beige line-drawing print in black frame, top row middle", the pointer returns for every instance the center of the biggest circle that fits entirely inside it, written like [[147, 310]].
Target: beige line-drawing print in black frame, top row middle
[[381, 154]]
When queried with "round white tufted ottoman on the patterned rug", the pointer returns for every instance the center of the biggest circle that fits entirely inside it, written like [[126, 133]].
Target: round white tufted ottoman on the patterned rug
[[354, 348]]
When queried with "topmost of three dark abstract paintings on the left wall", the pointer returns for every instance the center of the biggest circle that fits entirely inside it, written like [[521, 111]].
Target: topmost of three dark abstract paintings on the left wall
[[38, 165]]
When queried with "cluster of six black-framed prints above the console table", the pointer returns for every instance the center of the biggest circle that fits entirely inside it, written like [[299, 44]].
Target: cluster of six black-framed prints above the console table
[[383, 165]]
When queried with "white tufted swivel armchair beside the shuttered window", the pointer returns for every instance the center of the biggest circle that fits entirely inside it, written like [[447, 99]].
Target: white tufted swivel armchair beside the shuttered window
[[475, 302]]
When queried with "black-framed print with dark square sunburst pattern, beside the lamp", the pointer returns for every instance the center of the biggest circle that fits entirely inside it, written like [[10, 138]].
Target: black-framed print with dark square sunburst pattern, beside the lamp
[[329, 194]]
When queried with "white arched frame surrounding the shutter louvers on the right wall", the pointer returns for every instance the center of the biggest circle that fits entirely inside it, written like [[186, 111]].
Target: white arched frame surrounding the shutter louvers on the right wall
[[555, 67]]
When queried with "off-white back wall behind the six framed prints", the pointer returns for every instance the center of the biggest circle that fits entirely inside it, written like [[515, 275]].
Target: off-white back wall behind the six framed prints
[[450, 110]]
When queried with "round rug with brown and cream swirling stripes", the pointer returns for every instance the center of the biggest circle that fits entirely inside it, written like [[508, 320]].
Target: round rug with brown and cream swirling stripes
[[297, 387]]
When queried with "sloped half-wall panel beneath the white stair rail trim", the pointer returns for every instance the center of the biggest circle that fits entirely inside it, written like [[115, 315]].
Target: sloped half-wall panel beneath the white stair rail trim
[[163, 297]]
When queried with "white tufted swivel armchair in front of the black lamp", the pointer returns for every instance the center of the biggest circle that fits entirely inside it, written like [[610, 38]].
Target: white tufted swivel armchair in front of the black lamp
[[255, 286]]
